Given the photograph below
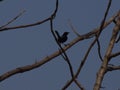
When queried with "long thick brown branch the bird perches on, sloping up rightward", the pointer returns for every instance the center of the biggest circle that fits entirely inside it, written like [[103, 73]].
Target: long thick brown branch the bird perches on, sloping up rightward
[[55, 54]]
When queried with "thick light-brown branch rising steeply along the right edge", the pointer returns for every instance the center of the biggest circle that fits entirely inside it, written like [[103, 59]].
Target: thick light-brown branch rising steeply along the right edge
[[103, 68]]
